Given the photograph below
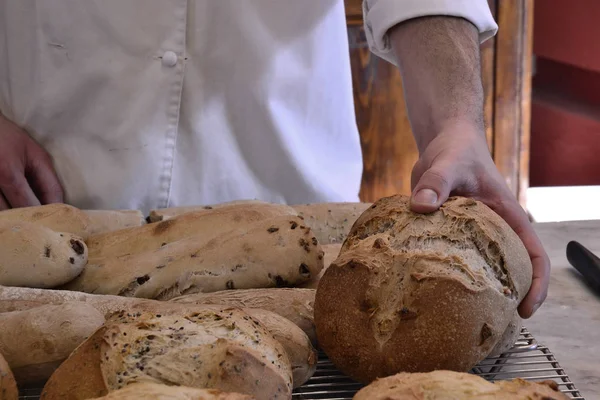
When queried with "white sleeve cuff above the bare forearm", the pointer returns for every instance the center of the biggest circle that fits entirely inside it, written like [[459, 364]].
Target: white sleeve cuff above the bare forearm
[[381, 15]]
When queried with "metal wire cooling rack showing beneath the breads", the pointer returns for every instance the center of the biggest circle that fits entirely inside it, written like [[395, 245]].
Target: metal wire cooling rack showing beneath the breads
[[526, 360]]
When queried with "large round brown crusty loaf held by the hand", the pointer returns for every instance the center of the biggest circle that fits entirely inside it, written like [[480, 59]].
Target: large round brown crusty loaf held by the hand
[[416, 293]]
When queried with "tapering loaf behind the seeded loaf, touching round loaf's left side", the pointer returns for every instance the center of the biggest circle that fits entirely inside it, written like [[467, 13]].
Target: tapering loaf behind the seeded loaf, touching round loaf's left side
[[294, 304]]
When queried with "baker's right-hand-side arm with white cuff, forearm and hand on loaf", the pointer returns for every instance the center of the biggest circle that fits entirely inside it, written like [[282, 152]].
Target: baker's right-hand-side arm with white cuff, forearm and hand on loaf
[[435, 44]]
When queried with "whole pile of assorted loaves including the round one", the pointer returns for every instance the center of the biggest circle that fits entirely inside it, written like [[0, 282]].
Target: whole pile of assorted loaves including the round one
[[216, 302]]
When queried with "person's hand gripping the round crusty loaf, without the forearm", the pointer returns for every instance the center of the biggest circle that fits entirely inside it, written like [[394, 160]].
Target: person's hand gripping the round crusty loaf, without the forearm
[[458, 162]]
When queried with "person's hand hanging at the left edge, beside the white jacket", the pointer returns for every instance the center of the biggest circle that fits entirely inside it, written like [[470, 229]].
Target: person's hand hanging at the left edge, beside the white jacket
[[27, 176]]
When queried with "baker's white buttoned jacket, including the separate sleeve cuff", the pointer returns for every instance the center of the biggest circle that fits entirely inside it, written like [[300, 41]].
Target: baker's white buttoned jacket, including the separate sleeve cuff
[[154, 103]]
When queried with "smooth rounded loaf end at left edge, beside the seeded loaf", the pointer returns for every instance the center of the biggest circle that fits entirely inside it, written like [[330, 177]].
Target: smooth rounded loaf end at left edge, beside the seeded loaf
[[34, 342]]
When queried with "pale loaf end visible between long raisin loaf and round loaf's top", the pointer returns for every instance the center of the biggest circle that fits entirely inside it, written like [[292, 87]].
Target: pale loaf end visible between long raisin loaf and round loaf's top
[[331, 222]]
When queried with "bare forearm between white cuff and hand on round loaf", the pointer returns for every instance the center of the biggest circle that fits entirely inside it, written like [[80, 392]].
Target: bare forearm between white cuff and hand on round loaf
[[439, 59]]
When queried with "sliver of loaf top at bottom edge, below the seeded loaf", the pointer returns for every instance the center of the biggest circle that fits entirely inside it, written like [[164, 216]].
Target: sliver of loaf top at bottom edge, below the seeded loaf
[[157, 391]]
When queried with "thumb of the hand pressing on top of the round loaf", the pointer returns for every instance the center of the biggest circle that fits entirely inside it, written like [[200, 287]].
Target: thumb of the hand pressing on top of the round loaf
[[431, 191]]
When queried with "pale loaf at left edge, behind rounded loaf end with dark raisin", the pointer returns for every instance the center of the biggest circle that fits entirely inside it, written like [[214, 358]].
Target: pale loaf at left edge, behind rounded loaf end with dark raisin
[[58, 217]]
